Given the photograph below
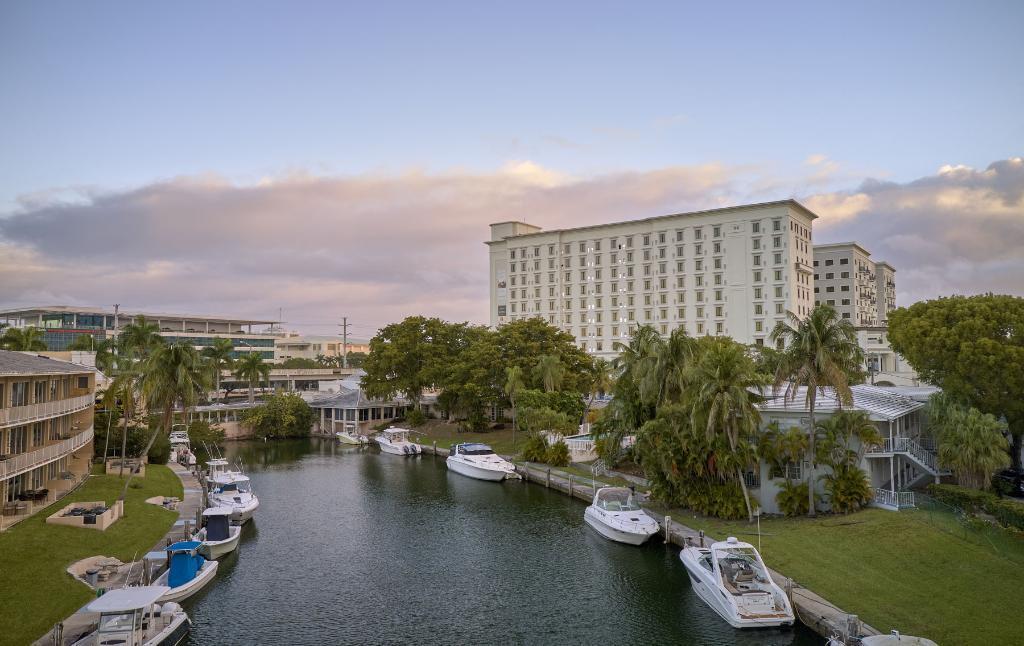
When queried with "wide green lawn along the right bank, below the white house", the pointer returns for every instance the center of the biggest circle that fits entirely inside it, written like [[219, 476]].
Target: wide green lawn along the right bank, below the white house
[[895, 571]]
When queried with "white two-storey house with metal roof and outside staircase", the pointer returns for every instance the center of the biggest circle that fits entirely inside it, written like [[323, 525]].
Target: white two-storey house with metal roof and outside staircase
[[906, 459]]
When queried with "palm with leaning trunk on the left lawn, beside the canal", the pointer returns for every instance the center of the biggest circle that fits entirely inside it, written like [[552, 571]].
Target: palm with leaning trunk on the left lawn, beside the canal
[[173, 374]]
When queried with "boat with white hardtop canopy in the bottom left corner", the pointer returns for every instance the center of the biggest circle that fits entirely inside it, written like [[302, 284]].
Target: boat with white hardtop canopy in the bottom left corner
[[137, 617]]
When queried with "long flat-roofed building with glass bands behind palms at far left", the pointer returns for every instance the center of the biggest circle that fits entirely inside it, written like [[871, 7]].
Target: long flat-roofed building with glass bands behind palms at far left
[[63, 324]]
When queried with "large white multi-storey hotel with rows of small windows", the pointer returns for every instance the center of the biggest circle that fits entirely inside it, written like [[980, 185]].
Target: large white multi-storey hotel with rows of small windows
[[734, 272]]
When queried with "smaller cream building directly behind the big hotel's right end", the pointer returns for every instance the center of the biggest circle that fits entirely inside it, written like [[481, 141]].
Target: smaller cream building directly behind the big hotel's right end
[[861, 290]]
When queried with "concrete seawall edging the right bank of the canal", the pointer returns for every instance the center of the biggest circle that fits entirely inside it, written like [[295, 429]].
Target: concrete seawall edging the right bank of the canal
[[813, 611]]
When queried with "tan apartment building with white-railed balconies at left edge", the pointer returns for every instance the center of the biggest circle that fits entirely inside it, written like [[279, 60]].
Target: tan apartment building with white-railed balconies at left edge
[[47, 411]]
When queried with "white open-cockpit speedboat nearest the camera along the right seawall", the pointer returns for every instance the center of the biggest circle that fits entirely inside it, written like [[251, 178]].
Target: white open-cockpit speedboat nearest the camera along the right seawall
[[732, 579]]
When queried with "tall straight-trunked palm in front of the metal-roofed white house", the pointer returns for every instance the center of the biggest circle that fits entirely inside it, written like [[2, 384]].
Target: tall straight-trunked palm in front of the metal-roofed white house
[[821, 352]]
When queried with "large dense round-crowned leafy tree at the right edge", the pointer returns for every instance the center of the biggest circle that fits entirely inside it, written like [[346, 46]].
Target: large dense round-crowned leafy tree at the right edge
[[973, 349]]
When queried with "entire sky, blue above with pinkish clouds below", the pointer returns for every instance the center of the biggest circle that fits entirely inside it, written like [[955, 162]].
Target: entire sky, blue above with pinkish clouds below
[[328, 159]]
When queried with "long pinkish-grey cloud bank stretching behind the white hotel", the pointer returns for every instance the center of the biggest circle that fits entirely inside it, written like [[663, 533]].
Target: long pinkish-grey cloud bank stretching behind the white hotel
[[378, 247]]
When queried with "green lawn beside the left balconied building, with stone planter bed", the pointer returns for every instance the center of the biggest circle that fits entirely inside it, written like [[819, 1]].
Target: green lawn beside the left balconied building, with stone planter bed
[[36, 592]]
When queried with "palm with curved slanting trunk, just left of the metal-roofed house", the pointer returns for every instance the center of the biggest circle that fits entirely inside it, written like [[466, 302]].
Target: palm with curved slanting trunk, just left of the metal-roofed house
[[723, 383]]
